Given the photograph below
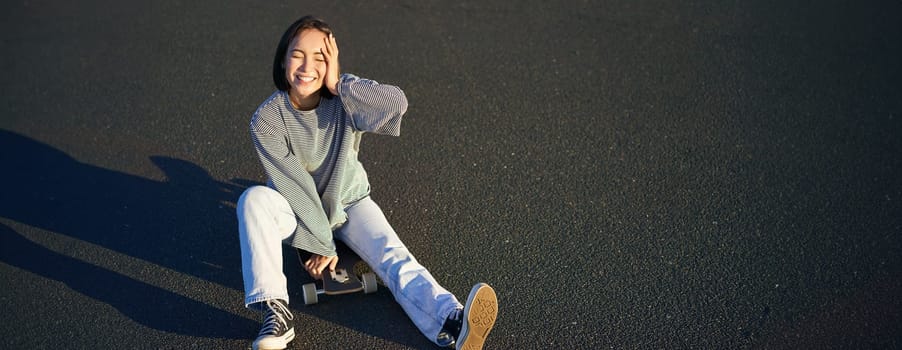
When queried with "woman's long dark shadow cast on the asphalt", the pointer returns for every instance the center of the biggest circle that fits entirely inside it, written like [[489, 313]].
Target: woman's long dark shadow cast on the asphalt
[[181, 224]]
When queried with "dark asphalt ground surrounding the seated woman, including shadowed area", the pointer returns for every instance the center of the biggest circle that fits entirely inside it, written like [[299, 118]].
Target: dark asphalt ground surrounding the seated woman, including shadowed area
[[626, 174]]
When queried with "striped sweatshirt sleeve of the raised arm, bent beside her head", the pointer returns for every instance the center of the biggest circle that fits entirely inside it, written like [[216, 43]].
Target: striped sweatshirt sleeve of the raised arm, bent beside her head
[[372, 107]]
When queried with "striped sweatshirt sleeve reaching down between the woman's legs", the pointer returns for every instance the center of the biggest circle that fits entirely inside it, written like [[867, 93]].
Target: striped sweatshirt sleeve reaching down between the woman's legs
[[288, 176]]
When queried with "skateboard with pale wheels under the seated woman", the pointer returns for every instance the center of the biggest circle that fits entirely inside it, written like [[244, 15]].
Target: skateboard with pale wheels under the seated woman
[[351, 275]]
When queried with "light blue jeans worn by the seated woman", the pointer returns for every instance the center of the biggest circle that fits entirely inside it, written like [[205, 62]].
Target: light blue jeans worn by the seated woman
[[266, 223]]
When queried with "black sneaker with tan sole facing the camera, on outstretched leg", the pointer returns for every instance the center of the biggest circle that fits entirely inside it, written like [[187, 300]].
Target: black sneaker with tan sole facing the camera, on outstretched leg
[[468, 328]]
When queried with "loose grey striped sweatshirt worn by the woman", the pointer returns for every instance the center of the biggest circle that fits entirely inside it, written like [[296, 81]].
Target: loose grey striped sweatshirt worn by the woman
[[310, 157]]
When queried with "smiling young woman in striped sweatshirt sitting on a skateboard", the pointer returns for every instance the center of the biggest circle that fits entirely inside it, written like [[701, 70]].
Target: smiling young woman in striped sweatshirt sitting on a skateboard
[[307, 135]]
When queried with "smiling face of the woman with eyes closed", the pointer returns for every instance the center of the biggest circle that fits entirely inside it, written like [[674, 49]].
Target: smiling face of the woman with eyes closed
[[305, 68]]
